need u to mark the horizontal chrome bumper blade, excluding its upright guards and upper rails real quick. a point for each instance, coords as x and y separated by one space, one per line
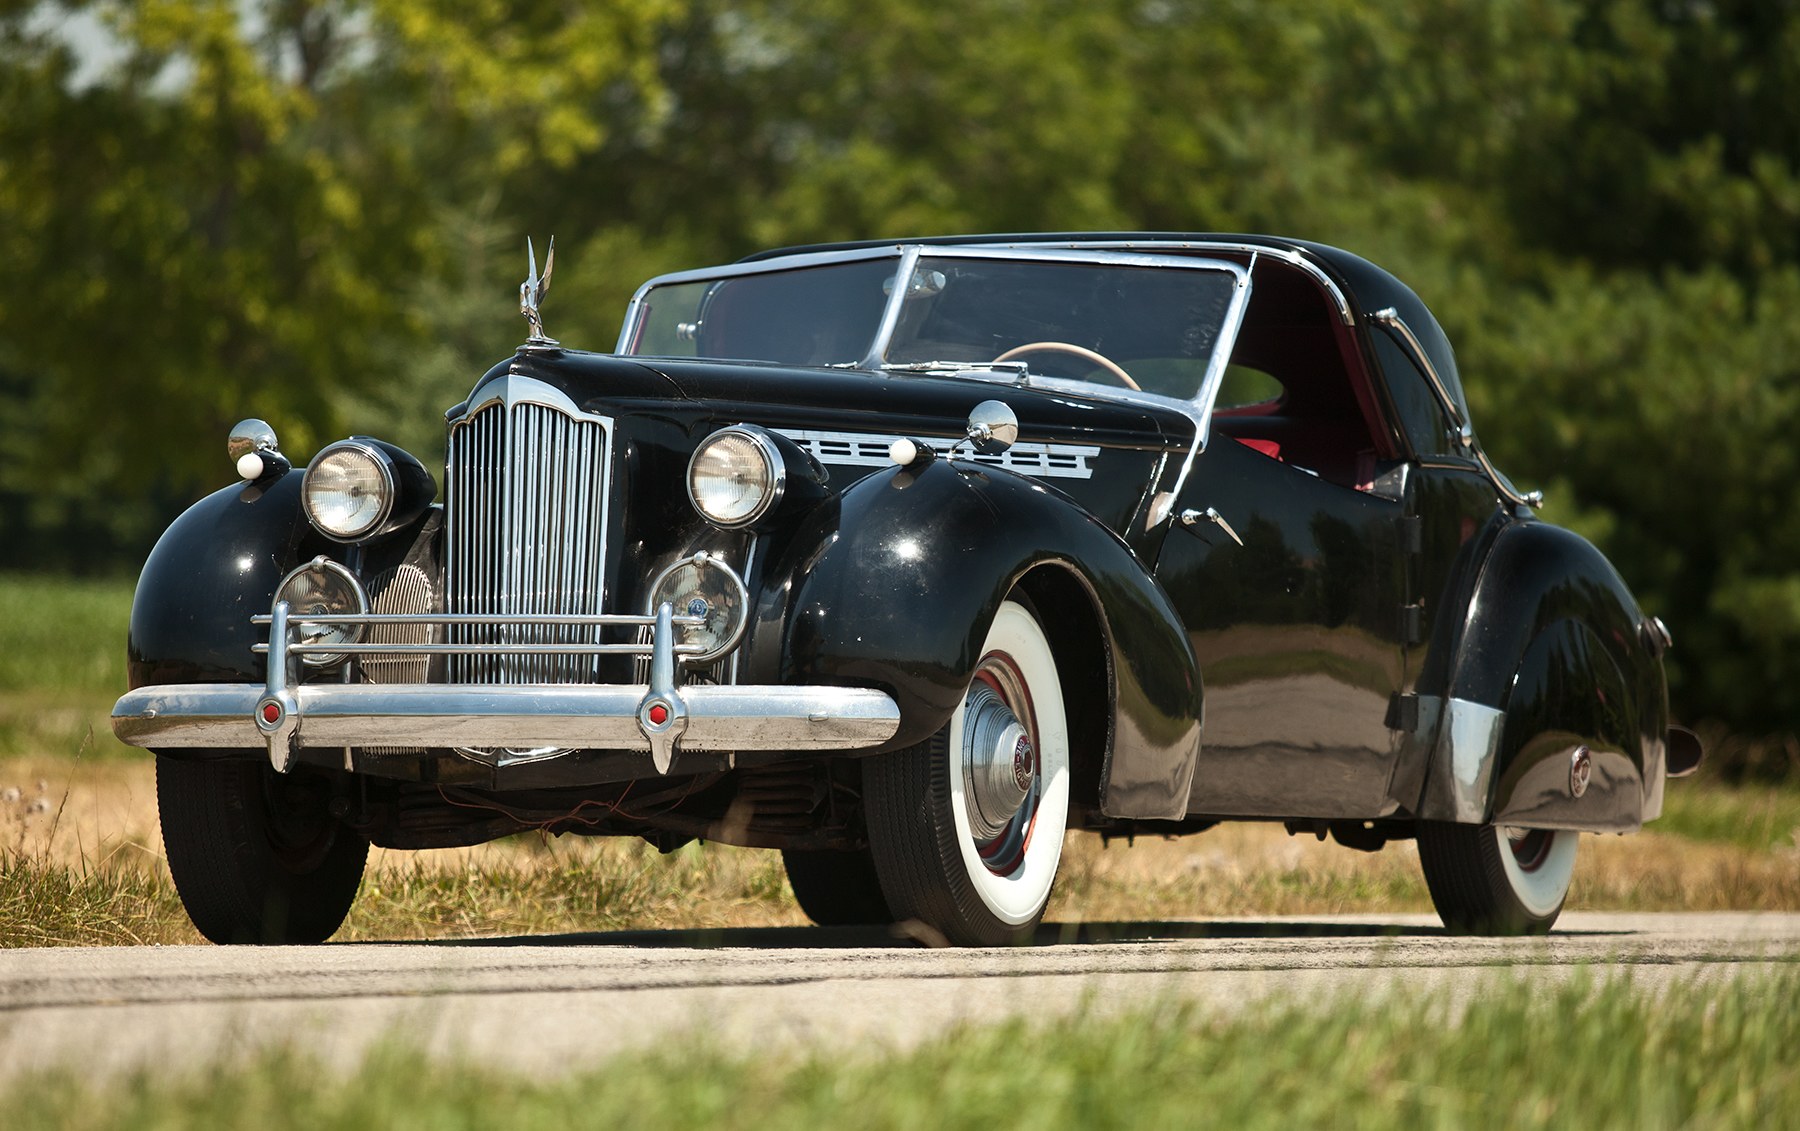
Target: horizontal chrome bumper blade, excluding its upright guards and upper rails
508 718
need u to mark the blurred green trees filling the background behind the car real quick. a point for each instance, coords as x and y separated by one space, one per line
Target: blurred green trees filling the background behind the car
312 212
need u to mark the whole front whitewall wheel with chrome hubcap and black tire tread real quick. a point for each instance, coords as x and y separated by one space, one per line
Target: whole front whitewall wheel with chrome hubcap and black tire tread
967 828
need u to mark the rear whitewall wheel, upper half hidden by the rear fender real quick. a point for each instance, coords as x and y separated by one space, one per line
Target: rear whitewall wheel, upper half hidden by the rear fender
1489 880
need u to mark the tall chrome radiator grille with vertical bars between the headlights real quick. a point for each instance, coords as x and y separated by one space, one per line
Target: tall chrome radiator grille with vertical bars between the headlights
526 520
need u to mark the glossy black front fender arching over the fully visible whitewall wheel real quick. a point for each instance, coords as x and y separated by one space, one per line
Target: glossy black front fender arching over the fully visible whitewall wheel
895 584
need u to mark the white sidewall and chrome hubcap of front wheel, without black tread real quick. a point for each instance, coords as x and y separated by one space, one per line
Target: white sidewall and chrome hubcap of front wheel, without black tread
1011 802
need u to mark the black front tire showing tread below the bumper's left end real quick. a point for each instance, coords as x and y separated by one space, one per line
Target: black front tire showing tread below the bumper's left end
256 856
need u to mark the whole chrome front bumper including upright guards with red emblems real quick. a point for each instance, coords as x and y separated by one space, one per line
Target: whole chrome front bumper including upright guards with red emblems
660 718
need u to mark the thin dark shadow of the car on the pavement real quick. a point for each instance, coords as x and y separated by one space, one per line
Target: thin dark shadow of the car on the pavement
917 936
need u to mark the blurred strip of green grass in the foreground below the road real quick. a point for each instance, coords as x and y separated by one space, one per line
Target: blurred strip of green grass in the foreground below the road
1587 1054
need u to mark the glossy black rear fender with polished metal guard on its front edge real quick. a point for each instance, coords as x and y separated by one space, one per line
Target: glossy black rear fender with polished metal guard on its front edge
1552 656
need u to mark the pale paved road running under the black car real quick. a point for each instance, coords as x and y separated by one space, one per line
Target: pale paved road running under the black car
550 1004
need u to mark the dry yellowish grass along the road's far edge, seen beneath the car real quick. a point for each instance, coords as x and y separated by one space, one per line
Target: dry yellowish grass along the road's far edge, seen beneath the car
82 864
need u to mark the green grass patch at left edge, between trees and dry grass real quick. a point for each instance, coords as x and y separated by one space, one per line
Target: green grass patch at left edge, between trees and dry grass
62 664
